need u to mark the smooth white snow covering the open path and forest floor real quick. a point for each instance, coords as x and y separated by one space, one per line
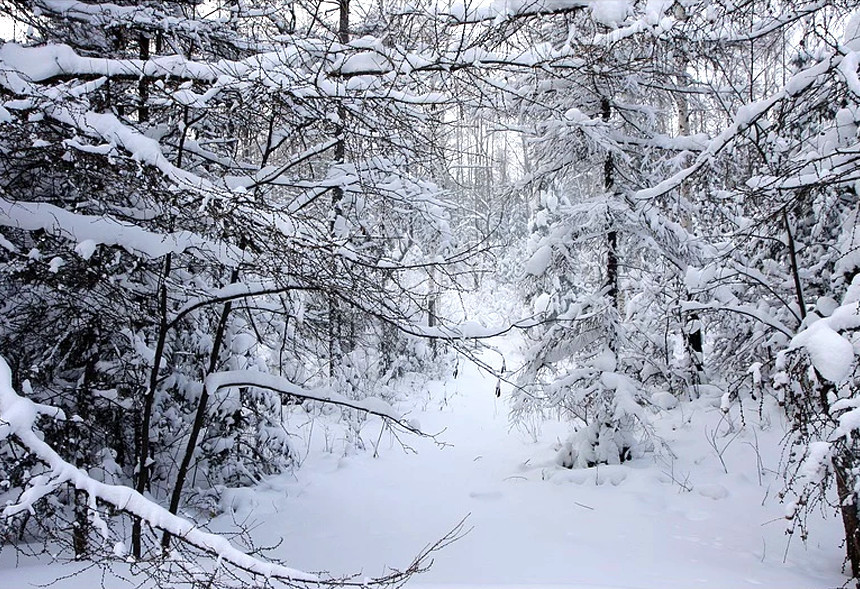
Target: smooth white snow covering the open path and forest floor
707 518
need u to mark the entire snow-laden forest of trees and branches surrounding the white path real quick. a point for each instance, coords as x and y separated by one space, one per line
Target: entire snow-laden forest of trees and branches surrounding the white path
214 215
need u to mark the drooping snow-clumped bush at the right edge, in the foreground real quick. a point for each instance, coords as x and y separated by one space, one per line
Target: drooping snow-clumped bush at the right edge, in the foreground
819 384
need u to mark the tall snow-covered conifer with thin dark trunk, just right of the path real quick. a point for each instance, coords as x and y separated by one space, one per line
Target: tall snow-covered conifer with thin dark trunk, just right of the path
592 88
